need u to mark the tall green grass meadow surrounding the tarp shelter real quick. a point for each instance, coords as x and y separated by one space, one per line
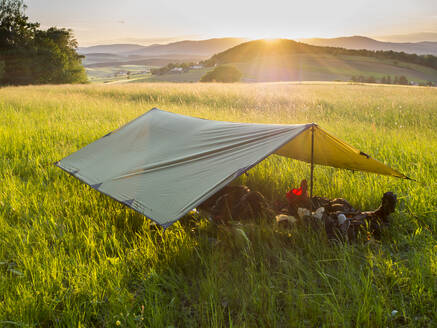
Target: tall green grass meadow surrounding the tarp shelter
72 257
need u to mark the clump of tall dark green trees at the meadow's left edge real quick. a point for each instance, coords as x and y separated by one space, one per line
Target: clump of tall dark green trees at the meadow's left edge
29 55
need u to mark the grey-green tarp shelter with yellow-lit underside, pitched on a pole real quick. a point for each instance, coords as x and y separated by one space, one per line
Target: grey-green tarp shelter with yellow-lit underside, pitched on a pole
163 164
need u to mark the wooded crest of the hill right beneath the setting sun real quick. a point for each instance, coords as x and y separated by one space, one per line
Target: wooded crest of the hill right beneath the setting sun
253 50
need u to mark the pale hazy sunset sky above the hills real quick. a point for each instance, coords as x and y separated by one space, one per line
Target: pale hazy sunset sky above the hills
162 21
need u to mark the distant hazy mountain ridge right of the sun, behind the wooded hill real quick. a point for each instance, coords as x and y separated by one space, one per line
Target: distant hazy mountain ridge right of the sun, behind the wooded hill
361 42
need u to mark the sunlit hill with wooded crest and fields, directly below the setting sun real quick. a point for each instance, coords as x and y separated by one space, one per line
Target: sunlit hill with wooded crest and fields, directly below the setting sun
288 60
